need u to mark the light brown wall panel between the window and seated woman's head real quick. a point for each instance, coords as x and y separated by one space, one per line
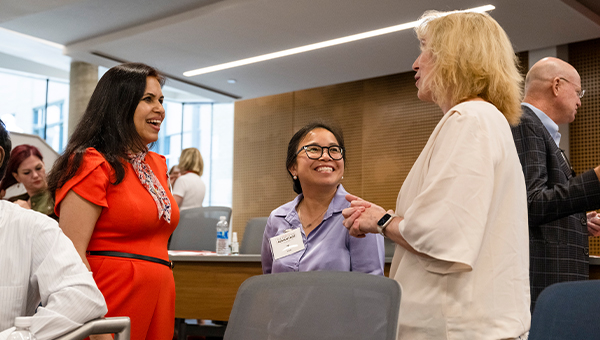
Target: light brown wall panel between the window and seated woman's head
262 129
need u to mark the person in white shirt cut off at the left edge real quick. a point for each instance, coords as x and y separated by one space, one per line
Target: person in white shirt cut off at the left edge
39 264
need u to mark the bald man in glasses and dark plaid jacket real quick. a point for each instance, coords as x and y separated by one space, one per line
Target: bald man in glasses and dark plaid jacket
557 199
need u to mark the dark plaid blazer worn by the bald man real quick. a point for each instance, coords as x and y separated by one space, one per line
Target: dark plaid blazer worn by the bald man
557 202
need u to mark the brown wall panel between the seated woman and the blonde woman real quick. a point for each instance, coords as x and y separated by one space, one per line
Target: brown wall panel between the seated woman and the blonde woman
396 127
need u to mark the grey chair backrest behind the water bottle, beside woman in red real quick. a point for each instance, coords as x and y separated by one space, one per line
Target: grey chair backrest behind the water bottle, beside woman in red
197 228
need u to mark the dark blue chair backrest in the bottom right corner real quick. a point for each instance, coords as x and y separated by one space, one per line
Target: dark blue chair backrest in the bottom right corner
567 310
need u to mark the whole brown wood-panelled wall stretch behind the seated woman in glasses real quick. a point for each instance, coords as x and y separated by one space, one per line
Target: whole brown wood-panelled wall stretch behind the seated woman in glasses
385 128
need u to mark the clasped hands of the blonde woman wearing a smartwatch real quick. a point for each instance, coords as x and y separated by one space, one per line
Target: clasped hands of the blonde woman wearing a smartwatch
361 217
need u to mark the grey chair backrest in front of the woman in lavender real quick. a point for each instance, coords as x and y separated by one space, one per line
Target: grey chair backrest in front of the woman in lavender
315 305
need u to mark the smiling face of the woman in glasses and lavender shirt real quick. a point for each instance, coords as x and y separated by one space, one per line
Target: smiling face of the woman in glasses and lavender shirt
320 174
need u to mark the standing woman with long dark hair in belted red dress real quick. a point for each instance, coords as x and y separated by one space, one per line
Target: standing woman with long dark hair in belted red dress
113 200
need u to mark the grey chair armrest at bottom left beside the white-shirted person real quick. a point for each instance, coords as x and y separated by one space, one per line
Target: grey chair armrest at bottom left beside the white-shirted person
119 326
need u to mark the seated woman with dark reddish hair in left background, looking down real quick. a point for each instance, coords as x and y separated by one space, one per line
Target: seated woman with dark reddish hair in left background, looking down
26 166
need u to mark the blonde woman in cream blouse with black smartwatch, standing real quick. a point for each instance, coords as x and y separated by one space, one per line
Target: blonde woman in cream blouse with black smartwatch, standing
460 225
